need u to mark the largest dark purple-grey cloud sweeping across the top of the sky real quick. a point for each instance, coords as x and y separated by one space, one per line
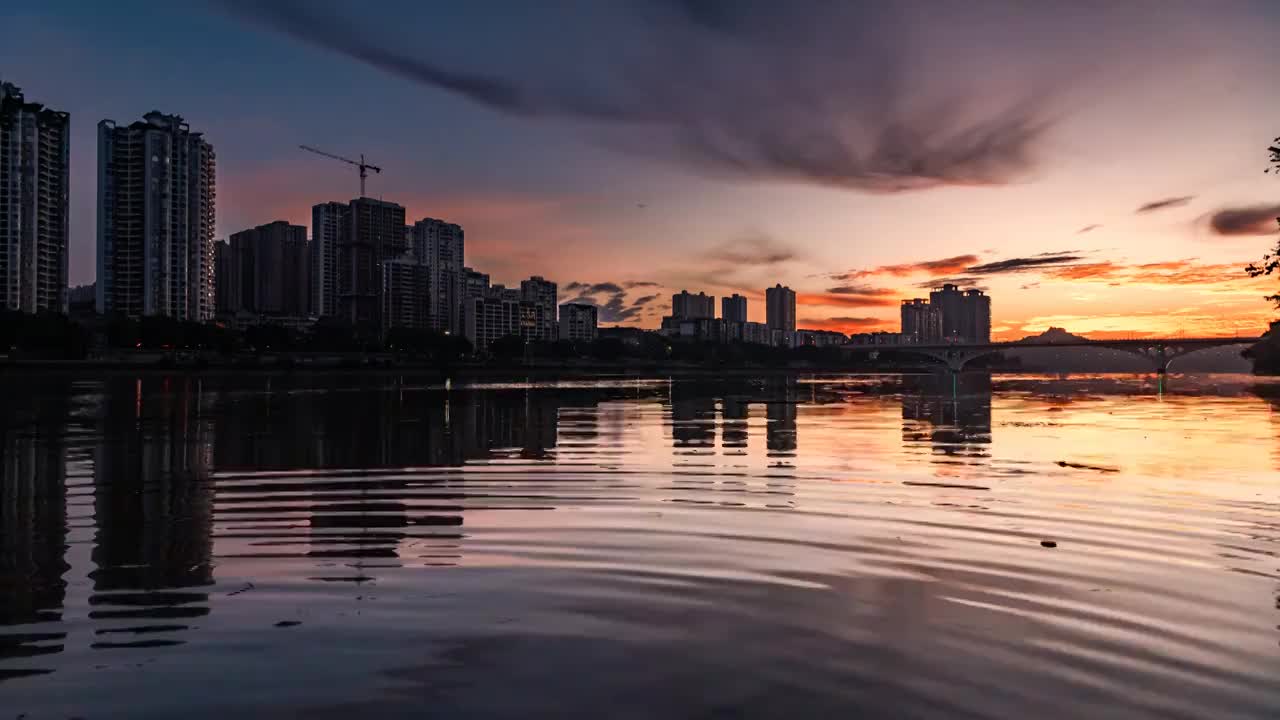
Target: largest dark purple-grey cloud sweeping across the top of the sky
835 94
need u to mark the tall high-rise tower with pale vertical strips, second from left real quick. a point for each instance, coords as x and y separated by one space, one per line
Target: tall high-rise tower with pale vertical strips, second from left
156 220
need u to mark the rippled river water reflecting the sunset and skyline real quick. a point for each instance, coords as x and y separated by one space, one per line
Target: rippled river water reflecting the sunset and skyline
776 548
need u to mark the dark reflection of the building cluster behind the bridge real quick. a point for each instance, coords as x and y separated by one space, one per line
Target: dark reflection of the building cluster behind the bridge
950 416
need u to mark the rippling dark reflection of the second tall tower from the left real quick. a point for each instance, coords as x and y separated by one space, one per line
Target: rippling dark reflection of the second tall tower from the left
154 511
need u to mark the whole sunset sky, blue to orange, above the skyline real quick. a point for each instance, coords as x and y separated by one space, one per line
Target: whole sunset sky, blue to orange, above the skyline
1092 166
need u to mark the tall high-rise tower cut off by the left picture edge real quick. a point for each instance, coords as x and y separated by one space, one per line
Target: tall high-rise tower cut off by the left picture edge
35 175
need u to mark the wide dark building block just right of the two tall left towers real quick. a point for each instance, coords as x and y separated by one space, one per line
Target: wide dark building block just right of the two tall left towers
269 271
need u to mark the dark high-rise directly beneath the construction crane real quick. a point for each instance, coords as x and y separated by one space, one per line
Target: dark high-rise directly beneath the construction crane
374 234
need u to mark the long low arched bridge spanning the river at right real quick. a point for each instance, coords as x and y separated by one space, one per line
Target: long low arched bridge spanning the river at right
1159 352
